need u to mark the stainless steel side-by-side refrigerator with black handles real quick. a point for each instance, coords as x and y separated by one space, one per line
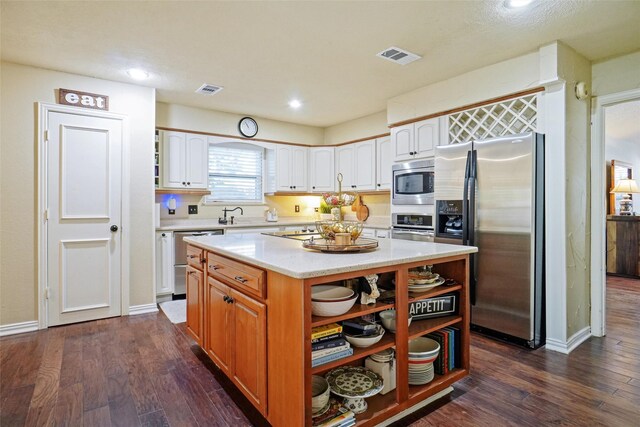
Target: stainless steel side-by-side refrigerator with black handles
490 194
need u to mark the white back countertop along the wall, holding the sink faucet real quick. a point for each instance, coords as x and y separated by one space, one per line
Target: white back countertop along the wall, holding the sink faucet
249 222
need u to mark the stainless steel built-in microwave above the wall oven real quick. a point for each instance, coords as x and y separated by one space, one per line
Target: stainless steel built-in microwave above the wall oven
413 183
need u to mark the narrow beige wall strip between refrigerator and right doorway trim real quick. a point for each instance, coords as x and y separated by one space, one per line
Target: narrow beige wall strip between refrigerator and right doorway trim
573 68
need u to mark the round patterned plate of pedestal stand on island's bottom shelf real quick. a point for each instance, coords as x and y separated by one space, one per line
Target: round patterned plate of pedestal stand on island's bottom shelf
354 381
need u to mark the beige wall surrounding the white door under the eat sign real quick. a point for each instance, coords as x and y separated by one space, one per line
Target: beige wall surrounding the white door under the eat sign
21 88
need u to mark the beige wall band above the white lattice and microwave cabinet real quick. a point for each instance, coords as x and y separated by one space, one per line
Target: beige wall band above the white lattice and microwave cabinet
489 82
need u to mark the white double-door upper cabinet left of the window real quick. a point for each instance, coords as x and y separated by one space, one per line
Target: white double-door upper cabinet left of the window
184 160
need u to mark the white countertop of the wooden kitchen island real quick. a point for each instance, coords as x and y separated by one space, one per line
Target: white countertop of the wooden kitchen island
288 257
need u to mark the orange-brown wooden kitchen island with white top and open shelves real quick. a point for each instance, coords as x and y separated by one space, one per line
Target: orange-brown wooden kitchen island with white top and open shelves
249 308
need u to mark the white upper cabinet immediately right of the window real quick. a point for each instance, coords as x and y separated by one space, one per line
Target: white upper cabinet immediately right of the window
291 168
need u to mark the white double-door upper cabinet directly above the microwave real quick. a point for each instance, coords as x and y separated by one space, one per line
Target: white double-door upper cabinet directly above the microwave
415 140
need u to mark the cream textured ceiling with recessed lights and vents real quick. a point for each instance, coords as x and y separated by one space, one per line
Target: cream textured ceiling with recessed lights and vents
265 53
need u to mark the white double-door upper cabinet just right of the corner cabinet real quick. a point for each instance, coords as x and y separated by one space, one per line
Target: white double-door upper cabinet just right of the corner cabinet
357 164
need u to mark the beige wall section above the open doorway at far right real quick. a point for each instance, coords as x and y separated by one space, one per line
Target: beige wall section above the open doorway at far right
616 75
